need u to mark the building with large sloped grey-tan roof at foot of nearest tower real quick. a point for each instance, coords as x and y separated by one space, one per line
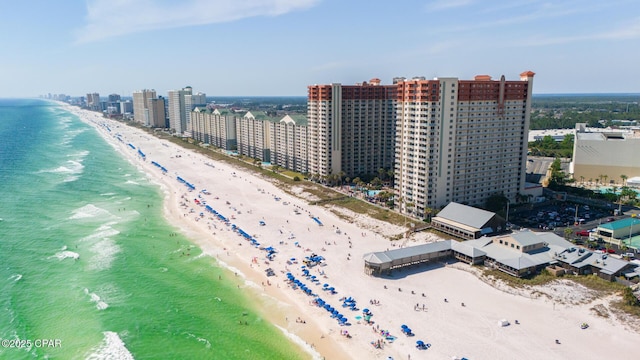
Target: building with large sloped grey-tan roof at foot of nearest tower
467 222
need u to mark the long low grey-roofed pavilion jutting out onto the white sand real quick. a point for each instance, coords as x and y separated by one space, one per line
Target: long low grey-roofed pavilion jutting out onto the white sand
382 262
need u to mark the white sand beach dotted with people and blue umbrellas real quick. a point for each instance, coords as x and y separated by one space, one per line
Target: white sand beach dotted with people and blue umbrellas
555 311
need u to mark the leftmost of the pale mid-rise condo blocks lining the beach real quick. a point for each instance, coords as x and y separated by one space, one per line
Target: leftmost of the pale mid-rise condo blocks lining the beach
214 127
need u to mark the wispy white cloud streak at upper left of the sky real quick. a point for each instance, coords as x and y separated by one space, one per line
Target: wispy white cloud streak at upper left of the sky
109 18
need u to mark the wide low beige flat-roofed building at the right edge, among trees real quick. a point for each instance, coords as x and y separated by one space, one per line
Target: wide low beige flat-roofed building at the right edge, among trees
607 157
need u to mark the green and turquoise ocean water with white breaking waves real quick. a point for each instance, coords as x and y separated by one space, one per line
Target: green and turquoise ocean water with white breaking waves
89 267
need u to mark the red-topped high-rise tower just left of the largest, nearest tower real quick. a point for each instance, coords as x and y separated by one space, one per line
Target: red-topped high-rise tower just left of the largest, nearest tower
350 128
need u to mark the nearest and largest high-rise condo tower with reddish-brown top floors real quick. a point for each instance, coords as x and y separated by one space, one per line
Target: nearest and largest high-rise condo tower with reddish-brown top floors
460 140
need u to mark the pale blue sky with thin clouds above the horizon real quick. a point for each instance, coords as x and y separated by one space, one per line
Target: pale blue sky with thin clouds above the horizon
279 47
